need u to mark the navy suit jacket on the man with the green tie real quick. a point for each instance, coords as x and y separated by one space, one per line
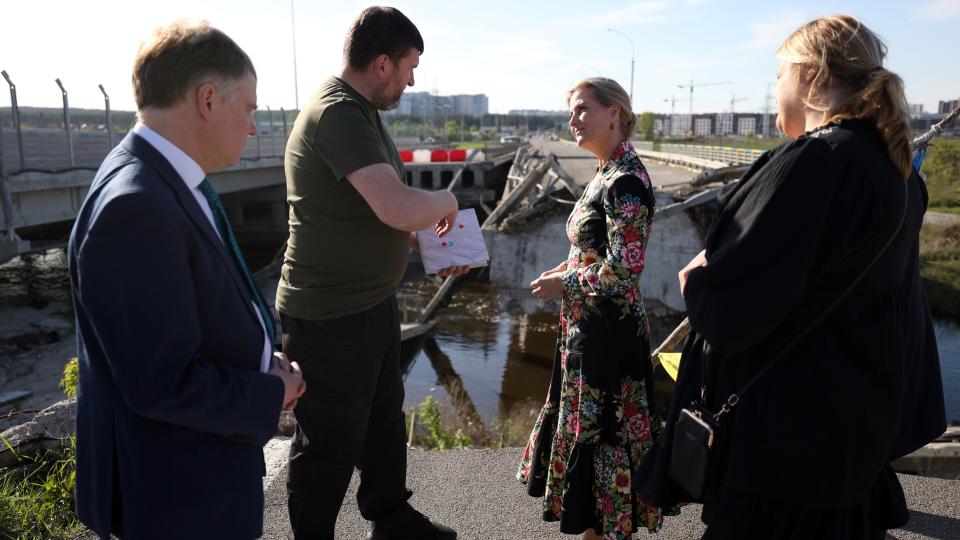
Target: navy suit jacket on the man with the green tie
172 408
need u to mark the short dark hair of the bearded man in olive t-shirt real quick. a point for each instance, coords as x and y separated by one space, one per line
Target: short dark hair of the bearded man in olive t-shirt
380 30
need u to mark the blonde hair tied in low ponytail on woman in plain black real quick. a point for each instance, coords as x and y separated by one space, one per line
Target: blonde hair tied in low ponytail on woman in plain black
848 59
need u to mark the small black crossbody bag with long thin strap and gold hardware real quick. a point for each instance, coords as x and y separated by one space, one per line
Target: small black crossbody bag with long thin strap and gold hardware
697 458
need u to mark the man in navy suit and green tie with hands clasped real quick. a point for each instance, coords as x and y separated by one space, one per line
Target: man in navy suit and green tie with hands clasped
179 385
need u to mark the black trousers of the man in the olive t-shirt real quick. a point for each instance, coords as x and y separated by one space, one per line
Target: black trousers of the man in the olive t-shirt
351 416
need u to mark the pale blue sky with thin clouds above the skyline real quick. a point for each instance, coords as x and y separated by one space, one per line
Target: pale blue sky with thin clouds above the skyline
522 54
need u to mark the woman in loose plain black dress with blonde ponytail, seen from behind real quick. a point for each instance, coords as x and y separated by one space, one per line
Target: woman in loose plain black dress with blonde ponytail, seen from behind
810 445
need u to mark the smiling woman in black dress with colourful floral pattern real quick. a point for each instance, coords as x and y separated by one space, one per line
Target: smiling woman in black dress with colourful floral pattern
597 421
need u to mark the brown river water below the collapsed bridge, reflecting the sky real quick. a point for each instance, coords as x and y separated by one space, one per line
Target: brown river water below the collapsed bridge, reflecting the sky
504 355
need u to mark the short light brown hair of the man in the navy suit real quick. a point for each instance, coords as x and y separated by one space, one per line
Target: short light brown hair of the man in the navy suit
181 56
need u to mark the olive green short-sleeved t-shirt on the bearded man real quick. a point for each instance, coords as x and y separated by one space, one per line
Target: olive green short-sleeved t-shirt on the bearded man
340 258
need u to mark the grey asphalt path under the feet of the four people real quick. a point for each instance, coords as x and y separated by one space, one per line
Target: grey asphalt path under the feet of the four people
475 492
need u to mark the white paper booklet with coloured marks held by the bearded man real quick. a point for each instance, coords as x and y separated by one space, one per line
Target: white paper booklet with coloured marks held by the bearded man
462 246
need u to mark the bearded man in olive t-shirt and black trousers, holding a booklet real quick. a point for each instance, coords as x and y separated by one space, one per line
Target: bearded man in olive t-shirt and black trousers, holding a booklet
352 220
